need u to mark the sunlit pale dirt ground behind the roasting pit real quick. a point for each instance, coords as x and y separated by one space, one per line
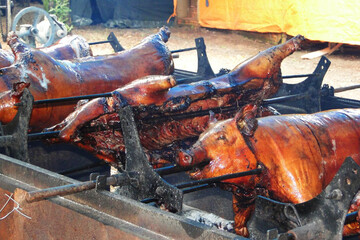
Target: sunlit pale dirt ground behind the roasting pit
226 49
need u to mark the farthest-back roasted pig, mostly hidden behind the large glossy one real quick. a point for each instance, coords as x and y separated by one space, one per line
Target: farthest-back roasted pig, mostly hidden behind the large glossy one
69 47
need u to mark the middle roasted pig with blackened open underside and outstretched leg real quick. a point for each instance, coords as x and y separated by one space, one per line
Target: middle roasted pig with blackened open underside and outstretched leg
252 81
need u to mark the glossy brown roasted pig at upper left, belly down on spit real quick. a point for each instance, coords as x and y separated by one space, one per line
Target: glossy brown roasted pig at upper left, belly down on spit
50 78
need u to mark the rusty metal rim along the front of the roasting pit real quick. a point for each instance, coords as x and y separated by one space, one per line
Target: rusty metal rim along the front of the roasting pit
141 220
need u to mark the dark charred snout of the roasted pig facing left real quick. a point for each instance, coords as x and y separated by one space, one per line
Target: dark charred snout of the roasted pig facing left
191 157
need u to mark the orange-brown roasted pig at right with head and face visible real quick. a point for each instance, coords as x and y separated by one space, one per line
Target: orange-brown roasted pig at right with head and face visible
299 155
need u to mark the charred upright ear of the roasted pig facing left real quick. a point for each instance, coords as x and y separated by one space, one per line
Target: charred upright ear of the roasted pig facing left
246 120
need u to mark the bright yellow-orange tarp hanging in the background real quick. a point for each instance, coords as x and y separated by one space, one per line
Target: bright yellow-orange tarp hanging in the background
325 20
